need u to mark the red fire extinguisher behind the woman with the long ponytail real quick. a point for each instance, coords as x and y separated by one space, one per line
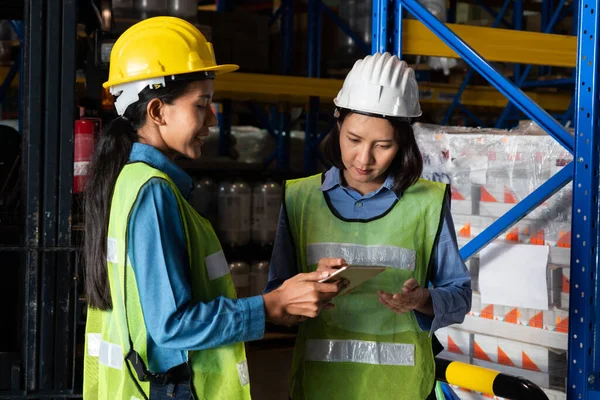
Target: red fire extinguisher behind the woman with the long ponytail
86 131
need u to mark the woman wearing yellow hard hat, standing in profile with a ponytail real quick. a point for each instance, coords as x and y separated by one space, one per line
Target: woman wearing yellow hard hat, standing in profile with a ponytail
163 319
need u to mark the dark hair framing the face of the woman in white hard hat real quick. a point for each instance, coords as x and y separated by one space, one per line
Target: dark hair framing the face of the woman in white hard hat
406 167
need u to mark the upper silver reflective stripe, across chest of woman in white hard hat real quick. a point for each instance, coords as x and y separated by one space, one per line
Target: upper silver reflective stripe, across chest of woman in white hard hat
357 254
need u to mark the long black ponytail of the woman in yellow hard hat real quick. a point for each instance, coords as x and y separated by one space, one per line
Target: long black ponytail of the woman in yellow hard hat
110 156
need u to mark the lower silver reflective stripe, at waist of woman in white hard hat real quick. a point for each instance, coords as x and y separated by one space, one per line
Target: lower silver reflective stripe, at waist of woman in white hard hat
360 351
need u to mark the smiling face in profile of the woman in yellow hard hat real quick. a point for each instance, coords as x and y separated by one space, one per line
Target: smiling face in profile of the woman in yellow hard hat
187 119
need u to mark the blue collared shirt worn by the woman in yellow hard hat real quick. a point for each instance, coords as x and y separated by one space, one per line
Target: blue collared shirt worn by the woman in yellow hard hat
158 251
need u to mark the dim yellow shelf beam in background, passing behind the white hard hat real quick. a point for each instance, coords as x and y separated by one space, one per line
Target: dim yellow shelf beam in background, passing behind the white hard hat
296 90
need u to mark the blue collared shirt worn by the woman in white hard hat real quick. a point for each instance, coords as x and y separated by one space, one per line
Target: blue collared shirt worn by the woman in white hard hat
450 280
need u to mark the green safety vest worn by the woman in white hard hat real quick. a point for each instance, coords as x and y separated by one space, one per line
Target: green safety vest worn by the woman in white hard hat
361 349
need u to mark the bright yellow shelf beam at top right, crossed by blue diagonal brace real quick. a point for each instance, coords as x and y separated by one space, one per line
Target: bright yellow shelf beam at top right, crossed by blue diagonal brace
501 45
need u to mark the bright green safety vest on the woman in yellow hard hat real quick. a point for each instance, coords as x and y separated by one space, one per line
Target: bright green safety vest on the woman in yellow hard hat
219 373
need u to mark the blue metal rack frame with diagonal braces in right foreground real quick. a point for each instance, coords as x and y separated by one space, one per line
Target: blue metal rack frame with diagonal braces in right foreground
584 347
